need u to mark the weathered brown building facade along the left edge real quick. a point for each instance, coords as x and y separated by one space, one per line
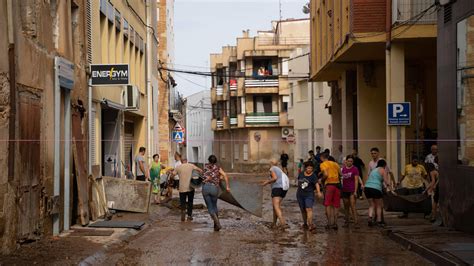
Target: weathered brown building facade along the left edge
43 88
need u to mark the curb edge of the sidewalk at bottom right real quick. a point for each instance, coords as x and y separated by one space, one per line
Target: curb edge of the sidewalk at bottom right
421 250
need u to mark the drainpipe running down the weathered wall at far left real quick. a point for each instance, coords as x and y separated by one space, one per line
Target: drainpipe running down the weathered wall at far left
12 70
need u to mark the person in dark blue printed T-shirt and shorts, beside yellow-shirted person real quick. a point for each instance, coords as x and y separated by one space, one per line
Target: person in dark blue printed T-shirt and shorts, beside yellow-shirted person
307 185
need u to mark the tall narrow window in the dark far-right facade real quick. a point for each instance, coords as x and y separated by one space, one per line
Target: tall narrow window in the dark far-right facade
465 90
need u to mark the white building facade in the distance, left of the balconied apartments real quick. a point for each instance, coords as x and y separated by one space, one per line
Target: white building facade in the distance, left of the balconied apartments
199 139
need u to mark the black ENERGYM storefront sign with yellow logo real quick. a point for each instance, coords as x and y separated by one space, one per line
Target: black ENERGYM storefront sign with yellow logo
110 74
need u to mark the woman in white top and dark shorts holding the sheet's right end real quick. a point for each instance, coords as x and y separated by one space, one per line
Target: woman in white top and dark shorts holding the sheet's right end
278 194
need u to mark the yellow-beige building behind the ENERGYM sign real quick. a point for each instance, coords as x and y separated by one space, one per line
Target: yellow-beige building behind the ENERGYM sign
124 115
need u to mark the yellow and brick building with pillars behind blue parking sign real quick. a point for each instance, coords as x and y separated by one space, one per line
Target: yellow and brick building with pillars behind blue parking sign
369 52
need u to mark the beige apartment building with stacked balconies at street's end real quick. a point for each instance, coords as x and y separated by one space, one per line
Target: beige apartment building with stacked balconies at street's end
250 96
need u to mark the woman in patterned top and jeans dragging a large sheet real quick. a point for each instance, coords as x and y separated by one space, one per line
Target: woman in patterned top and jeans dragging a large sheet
210 188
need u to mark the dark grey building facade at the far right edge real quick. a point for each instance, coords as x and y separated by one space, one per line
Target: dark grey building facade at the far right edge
456 112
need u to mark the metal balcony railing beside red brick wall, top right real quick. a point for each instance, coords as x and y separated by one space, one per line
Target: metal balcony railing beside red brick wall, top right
417 11
